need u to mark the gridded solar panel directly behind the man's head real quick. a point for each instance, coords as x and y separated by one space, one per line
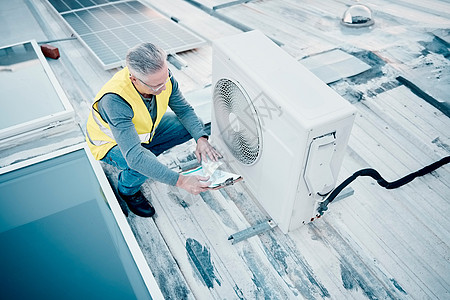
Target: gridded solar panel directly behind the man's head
110 28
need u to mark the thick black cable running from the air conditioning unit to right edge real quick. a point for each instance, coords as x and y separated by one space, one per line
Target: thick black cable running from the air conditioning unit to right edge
381 181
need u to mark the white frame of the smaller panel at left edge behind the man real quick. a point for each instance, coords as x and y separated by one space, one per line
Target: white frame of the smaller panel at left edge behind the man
30 127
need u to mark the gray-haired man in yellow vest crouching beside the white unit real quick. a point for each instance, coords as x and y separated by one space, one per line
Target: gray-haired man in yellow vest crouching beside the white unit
128 127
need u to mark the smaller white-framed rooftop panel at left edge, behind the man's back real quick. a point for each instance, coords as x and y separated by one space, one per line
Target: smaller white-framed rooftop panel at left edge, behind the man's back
32 98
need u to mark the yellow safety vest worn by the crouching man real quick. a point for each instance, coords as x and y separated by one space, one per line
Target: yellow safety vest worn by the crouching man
98 133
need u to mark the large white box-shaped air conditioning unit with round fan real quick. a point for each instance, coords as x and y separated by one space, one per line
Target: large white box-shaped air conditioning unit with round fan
277 125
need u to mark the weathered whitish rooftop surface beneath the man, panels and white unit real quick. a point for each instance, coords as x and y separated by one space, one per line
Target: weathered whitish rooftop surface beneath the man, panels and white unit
376 243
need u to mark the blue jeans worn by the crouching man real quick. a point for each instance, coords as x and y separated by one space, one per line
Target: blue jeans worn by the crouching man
169 133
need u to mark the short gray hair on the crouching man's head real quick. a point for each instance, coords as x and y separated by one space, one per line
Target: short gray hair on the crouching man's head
145 59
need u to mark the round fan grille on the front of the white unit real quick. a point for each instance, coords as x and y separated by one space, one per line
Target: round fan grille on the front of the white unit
237 121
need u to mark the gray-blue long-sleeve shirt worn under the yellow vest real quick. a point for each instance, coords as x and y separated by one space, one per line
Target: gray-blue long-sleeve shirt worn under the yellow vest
118 114
